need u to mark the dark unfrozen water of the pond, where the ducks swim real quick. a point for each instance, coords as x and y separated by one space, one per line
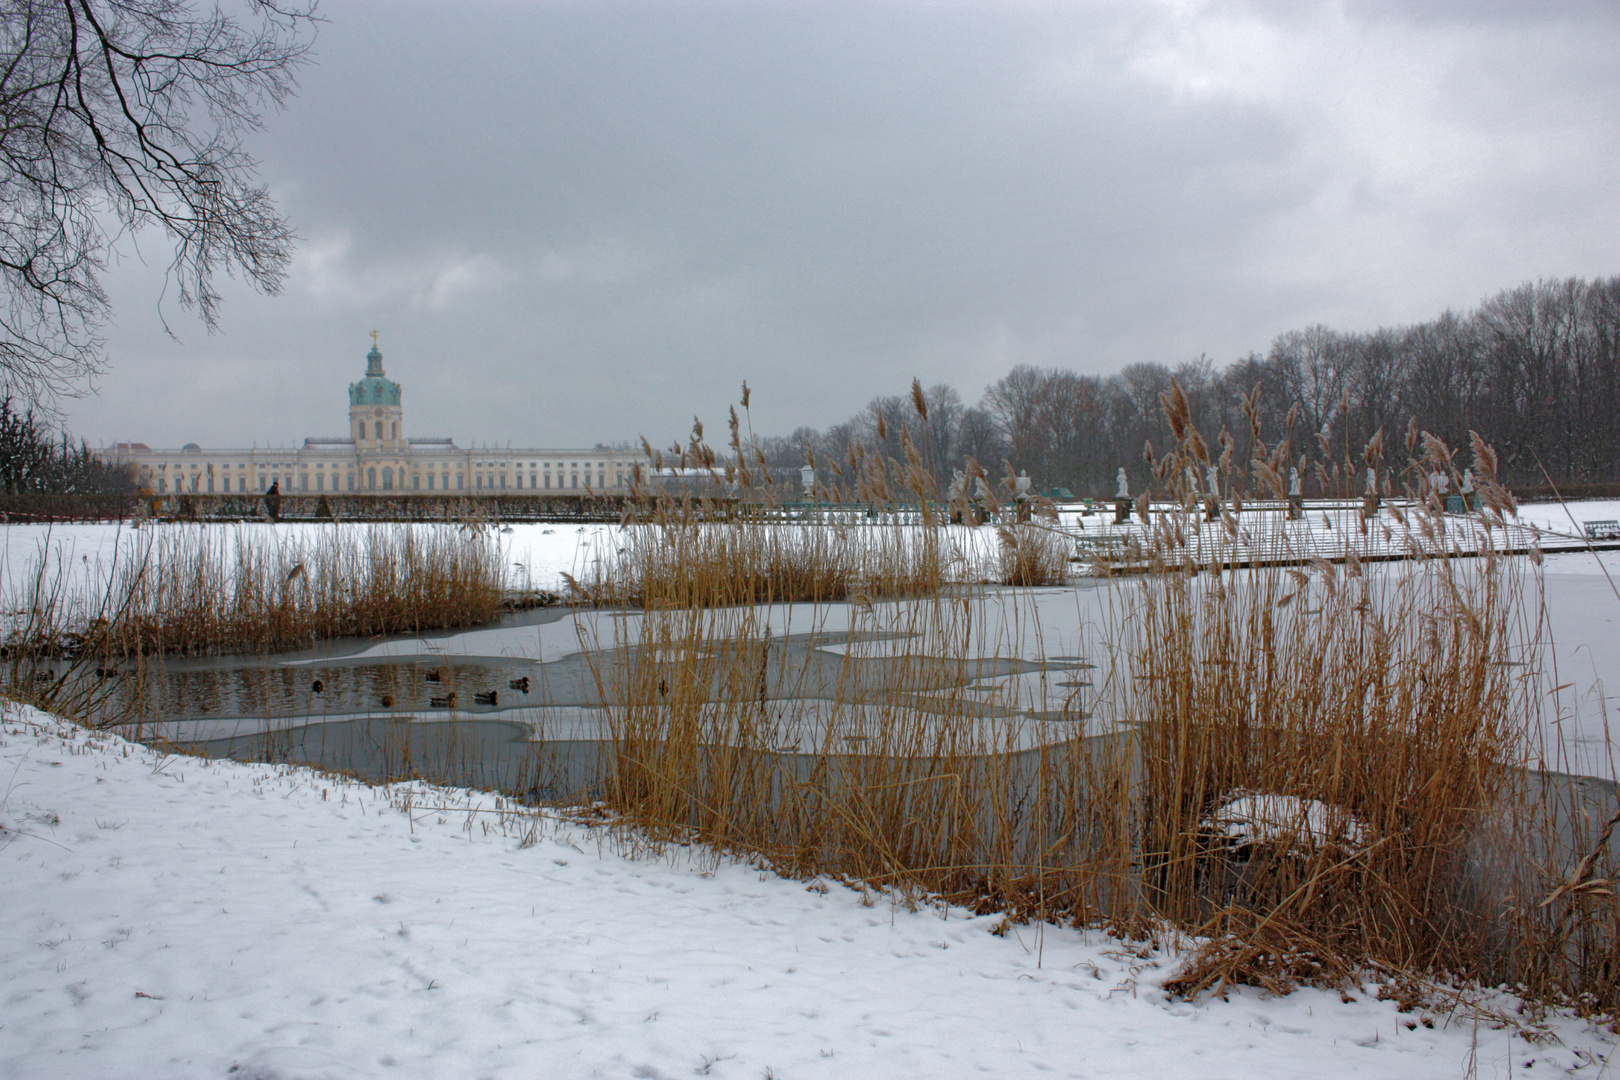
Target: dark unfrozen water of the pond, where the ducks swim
453 718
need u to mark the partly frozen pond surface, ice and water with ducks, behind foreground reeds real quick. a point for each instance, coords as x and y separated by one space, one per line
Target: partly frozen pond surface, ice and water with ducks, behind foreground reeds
508 705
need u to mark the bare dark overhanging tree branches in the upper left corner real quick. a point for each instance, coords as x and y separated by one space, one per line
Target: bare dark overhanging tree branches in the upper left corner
121 117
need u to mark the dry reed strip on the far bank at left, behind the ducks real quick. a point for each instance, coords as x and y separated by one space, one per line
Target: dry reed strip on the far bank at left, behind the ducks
207 590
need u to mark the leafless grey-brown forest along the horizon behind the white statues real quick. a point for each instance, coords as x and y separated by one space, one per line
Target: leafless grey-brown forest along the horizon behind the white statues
1535 370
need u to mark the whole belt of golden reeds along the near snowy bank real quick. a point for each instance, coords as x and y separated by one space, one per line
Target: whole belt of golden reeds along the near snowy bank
1315 767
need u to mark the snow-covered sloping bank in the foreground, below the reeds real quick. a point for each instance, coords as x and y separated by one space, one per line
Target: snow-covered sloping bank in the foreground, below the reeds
173 917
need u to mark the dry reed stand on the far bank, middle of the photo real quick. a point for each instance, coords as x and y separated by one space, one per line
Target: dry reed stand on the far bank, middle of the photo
686 551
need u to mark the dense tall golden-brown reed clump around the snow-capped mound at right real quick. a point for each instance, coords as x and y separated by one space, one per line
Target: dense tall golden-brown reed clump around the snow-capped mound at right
1384 697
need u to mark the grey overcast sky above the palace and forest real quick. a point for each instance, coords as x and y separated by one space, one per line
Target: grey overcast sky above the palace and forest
581 223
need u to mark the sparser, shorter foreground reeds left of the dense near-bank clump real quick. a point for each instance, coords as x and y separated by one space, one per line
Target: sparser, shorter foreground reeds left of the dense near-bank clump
877 772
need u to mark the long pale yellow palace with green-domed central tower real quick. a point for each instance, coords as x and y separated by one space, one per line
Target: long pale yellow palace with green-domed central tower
378 459
